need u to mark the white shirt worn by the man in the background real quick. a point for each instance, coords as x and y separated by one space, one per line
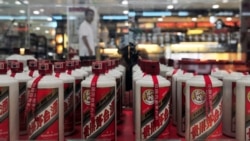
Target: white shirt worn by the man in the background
86 30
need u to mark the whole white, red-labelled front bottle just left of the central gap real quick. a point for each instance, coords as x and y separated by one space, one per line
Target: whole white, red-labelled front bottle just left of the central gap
98 105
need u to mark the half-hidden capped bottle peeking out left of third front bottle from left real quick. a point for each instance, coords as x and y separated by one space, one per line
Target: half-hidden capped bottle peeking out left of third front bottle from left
79 76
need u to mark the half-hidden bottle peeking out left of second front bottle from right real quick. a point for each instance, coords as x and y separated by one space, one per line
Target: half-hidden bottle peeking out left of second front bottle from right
180 103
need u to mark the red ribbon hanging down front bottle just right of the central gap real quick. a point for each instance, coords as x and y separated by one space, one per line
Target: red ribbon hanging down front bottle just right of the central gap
156 99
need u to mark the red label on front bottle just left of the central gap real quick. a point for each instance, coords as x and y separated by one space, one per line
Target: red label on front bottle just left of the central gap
103 125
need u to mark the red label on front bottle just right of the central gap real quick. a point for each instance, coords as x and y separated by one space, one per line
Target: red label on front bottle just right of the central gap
149 128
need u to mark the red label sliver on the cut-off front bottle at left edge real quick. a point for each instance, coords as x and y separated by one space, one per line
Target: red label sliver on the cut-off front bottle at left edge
4 113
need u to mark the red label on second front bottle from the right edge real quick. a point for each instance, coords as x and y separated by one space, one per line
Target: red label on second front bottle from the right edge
205 124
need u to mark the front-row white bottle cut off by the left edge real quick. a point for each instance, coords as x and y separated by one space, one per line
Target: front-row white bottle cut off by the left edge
9 113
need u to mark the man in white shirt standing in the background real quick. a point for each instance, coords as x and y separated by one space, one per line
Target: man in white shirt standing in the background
86 37
